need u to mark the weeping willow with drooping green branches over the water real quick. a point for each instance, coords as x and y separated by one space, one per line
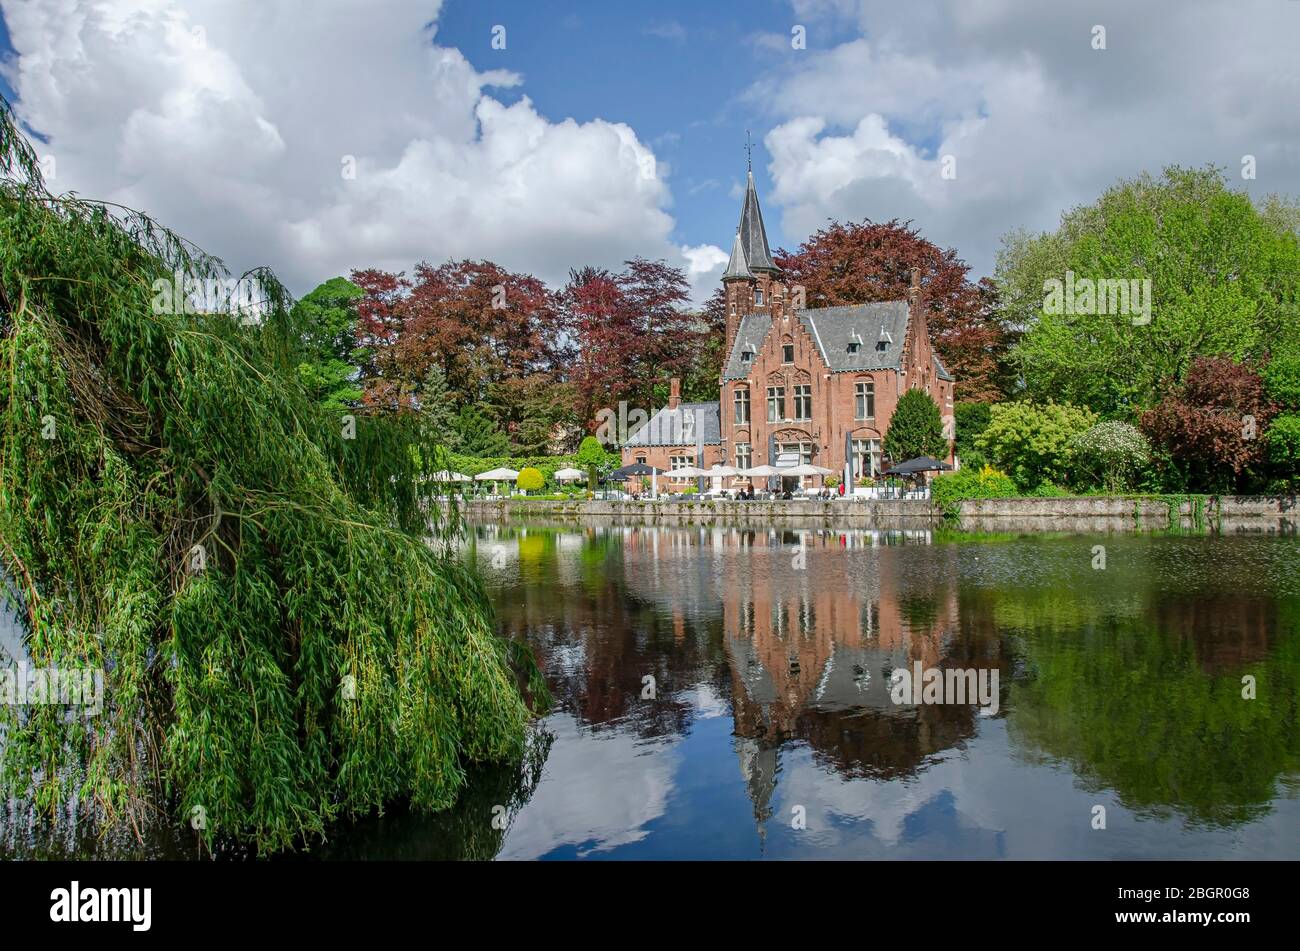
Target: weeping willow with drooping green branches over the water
280 641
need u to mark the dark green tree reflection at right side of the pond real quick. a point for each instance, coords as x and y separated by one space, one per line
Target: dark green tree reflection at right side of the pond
1149 702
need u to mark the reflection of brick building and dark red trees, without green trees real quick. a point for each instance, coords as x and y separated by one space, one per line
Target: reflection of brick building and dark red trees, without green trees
801 629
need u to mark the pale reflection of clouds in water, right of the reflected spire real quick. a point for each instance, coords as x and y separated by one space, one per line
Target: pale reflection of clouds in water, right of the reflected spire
963 805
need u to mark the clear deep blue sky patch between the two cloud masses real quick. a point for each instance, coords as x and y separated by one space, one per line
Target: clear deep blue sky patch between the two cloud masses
677 72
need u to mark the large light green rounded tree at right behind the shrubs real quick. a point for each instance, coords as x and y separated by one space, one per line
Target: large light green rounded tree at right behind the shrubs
1225 281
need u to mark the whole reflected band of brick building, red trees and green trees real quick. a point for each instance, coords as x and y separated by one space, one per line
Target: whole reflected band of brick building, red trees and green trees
1132 676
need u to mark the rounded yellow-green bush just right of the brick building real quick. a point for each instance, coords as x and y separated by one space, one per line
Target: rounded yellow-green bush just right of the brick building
1035 442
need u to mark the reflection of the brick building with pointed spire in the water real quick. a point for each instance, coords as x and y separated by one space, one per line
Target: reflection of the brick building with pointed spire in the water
816 624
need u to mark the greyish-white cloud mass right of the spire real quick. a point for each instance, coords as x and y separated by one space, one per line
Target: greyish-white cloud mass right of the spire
1035 119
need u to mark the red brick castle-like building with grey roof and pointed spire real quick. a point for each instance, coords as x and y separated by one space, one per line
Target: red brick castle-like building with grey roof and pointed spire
799 385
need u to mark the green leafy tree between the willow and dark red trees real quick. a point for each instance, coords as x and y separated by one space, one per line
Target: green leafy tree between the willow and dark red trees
327 323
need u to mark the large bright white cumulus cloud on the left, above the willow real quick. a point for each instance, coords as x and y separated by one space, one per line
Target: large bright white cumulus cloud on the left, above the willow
323 136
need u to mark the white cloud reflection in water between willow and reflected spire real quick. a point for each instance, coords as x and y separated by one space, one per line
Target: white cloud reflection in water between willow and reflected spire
600 792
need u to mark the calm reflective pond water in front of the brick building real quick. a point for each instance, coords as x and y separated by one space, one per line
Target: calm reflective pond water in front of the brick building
730 693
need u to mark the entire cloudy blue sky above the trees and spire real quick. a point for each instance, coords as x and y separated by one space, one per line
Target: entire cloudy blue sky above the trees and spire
322 136
